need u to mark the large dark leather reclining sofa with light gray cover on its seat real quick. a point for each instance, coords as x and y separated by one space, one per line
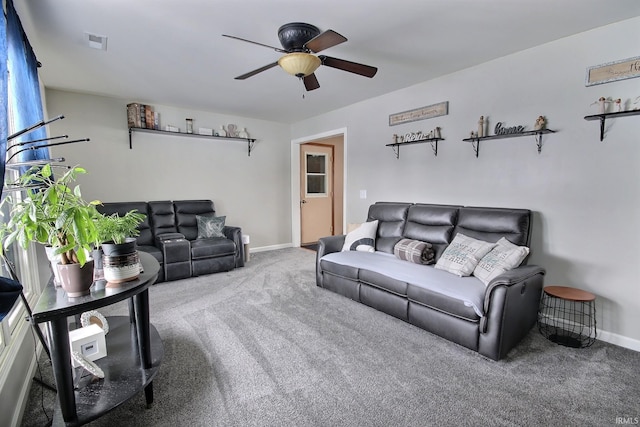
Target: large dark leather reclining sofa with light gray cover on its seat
506 309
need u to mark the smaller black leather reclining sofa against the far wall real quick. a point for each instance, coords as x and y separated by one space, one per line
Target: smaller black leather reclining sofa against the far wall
170 232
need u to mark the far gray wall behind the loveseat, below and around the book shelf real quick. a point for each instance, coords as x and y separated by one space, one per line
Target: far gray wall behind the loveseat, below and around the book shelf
253 192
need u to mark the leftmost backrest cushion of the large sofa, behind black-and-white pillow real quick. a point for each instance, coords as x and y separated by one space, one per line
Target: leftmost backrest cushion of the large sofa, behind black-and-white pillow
392 218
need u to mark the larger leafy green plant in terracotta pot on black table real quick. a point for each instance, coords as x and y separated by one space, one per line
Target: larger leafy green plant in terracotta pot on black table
53 212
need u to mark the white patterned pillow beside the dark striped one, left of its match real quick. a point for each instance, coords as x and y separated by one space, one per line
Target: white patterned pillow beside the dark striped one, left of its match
463 254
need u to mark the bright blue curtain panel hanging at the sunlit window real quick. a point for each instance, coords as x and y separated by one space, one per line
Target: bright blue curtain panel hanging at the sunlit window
25 102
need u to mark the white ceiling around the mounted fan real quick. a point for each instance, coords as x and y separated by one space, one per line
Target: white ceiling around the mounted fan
172 52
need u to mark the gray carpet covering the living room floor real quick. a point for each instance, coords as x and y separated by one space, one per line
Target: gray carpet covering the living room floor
263 346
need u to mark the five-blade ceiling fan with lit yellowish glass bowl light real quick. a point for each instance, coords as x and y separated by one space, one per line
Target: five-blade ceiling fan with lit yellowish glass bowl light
300 42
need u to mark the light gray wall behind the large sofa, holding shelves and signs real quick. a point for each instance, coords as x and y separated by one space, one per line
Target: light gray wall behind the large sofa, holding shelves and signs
585 193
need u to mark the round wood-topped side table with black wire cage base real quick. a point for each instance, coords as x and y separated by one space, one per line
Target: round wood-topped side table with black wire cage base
567 316
